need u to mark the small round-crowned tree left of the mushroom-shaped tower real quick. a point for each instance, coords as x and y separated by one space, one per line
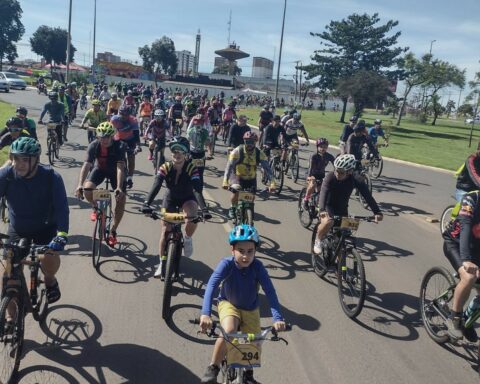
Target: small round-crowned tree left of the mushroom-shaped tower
160 57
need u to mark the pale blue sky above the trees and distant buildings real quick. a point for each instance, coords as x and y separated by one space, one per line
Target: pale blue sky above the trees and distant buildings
123 26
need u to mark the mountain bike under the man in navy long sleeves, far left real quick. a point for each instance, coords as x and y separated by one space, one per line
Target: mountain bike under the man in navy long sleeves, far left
18 300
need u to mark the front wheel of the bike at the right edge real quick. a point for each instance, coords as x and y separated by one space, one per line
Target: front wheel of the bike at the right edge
437 300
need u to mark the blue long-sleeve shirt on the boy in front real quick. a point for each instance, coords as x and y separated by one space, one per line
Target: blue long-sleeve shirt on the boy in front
239 286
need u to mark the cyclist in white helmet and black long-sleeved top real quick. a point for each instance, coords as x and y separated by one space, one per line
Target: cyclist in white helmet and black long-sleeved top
336 189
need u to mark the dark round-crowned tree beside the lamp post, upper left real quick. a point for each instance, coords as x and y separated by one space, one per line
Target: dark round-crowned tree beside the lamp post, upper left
51 44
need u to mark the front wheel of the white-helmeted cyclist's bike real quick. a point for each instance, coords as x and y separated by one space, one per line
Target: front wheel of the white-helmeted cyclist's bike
351 282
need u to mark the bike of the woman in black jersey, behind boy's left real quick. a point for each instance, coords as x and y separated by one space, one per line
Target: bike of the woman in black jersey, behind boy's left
173 250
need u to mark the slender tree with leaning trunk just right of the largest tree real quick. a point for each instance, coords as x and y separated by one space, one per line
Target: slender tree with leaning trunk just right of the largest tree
414 74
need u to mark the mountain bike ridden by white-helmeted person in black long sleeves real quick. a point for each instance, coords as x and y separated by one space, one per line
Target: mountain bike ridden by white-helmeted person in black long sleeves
339 253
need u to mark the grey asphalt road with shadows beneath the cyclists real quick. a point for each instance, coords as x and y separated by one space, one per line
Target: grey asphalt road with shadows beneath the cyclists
107 328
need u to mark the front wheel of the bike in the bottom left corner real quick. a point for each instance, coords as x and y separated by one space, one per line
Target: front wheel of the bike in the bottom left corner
11 343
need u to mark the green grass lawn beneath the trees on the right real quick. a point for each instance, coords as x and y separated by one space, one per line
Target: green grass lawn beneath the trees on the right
444 145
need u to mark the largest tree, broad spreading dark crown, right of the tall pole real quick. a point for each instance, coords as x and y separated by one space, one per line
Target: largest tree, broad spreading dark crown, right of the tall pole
354 44
